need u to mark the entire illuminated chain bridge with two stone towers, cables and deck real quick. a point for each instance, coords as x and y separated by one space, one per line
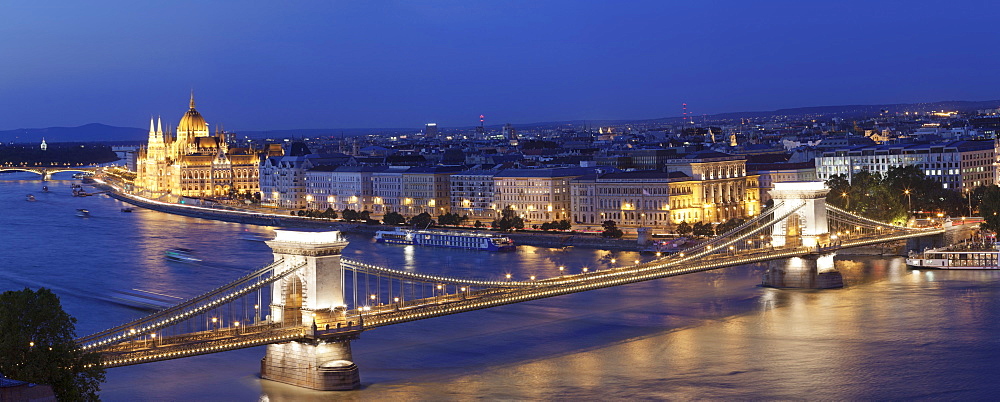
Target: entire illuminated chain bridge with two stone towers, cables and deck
310 303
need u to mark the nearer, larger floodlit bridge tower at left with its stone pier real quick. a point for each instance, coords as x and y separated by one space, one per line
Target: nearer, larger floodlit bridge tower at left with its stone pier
316 288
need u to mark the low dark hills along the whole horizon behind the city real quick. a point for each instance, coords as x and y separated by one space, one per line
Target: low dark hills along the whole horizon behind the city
105 133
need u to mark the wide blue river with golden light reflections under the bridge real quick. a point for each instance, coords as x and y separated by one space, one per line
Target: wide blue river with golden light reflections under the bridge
891 333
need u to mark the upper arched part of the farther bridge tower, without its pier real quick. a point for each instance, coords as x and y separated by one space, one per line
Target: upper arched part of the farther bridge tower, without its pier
807 226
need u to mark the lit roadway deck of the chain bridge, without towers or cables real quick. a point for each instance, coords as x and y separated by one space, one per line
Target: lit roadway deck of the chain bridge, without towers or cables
347 325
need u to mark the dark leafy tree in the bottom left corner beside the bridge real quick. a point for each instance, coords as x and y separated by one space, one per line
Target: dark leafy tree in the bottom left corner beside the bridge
36 345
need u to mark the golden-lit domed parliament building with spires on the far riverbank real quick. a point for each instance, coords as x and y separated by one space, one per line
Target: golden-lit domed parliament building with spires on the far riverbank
192 162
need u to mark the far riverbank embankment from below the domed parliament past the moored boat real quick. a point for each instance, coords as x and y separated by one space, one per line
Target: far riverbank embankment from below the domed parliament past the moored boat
551 240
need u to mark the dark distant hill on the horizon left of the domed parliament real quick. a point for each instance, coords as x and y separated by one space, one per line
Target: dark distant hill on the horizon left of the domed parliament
85 133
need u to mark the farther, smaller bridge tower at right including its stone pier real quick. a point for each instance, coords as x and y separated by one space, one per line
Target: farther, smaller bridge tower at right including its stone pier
806 226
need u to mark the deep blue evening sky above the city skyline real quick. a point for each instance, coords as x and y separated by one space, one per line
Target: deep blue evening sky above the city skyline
352 64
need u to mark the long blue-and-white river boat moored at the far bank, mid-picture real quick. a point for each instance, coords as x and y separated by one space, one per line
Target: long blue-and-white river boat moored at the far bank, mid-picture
443 238
